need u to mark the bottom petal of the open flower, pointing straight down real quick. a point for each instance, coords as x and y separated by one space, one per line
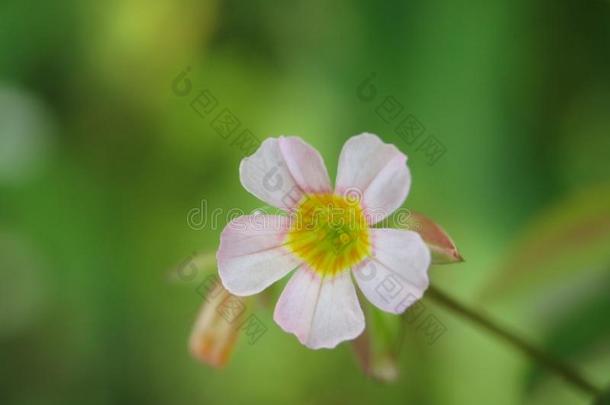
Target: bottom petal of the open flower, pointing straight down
321 311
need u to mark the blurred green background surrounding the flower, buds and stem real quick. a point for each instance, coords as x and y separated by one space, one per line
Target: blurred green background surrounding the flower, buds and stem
101 161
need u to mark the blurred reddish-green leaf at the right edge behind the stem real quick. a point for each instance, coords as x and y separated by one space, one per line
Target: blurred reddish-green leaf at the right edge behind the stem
570 239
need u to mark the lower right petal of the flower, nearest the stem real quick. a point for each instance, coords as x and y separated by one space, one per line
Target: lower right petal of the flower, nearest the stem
397 274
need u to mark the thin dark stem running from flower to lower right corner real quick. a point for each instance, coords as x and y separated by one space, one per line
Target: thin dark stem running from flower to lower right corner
562 369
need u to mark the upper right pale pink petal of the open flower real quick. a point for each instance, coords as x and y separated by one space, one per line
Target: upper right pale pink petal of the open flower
377 172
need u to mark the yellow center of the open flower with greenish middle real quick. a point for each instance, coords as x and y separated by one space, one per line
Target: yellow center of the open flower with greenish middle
329 232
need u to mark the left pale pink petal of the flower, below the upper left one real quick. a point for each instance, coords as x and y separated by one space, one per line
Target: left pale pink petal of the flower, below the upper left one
251 256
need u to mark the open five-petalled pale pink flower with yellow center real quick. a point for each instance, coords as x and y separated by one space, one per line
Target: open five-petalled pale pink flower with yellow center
327 237
